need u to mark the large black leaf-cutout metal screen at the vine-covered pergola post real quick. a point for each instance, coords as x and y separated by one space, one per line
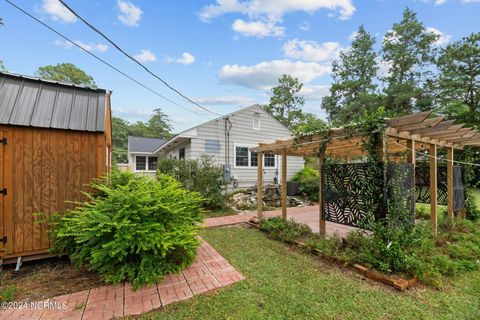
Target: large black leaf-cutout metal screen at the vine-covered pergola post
349 195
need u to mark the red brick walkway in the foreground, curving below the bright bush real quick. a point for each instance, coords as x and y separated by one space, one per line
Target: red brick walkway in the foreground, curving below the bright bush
209 272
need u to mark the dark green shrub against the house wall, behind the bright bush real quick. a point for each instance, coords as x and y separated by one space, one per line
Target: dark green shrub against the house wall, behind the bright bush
202 176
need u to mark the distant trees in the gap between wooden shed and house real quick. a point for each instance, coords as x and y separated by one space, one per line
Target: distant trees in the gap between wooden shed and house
158 126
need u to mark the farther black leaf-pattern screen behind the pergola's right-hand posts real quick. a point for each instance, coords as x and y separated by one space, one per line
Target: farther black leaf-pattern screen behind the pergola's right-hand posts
422 185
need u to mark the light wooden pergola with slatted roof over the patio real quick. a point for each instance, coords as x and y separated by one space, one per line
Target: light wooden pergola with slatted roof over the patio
403 136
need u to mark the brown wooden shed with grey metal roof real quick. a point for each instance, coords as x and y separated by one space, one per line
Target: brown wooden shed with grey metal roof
54 139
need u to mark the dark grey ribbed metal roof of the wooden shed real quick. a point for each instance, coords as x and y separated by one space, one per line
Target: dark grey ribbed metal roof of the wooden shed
27 101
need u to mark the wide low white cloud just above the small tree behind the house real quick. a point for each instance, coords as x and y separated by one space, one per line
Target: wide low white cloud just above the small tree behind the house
265 75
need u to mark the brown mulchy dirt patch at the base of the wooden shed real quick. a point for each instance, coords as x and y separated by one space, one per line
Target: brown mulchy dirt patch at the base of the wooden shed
38 280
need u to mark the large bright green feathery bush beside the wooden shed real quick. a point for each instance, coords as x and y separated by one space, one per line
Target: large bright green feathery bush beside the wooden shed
131 228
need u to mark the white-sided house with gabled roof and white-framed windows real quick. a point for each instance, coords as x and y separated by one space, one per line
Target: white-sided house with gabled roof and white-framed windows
227 140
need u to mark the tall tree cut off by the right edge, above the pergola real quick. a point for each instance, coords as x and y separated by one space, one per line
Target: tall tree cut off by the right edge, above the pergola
459 80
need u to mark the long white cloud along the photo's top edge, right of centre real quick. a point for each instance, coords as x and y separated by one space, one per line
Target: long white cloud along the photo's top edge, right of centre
275 9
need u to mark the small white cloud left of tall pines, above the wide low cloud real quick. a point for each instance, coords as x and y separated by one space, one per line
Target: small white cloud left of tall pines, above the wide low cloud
312 50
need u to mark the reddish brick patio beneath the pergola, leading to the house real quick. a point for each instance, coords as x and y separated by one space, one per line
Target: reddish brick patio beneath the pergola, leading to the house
307 215
